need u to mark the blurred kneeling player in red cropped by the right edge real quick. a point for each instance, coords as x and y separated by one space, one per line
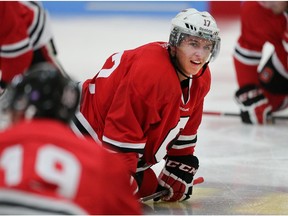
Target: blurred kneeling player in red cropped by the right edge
263 88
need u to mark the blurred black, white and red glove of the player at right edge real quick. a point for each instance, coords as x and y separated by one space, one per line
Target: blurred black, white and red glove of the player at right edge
254 106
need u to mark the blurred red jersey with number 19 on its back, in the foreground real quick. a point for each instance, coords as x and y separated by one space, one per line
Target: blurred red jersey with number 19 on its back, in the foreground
46 169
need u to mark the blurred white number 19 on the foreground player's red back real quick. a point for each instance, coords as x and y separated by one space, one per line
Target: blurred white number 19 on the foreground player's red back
53 164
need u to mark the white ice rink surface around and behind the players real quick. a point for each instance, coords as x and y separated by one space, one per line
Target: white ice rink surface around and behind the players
245 167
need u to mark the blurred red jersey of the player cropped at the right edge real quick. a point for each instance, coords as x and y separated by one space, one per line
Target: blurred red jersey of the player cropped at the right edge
259 25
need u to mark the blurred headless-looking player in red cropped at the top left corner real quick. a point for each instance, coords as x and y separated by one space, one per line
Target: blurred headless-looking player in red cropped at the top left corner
25 38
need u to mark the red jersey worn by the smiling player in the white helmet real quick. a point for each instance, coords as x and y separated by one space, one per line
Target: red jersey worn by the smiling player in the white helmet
135 103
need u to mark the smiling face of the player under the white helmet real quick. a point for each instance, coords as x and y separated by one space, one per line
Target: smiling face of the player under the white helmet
192 54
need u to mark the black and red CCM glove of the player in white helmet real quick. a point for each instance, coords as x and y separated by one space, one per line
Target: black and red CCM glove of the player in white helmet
177 177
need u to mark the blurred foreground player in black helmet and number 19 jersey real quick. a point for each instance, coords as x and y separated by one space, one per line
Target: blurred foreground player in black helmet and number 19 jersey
44 167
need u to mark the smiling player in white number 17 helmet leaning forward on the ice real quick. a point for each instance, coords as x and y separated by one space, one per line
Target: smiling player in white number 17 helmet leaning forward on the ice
146 103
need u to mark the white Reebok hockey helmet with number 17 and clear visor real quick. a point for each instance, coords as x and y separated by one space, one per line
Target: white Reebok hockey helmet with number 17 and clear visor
192 22
